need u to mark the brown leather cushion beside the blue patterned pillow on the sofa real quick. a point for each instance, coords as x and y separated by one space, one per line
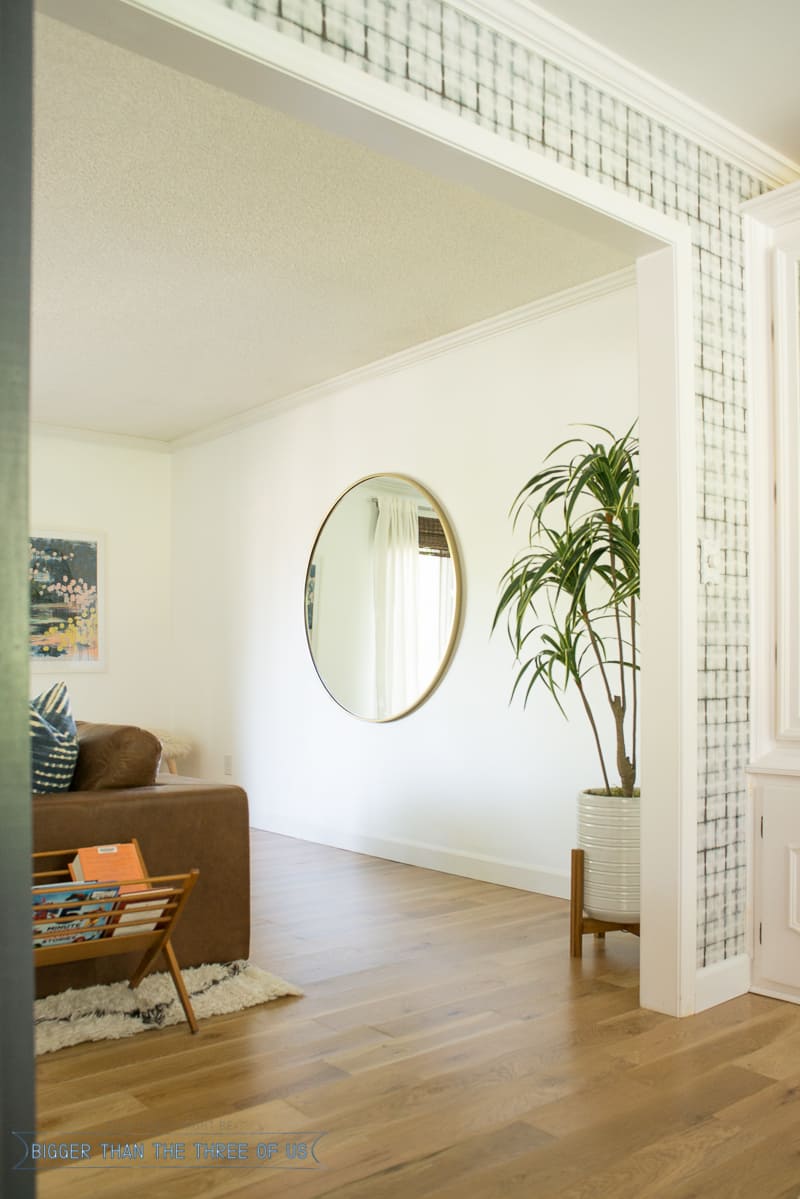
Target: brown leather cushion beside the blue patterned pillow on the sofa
115 756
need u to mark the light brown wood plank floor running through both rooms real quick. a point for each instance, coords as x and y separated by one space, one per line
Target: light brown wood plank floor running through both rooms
447 1046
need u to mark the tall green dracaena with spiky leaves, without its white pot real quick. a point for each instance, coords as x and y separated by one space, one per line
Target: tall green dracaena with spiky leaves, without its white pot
570 598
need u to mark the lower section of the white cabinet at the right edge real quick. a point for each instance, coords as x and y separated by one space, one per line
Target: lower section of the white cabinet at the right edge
777 888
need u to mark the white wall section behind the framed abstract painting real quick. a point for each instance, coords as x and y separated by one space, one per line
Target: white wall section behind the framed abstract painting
82 486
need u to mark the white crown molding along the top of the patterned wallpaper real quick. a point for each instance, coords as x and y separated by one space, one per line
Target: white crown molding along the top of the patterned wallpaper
566 46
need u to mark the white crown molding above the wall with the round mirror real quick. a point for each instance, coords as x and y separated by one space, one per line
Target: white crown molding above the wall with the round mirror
504 323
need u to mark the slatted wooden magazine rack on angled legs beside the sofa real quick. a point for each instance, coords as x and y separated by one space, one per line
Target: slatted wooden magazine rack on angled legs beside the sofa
134 924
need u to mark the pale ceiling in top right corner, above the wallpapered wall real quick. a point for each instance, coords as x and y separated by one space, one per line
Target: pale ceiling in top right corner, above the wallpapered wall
738 58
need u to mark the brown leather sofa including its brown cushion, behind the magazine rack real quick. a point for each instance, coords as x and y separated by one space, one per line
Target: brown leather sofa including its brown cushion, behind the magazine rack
179 826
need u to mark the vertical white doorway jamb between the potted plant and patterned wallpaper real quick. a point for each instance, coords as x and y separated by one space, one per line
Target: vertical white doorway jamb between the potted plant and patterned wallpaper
669 691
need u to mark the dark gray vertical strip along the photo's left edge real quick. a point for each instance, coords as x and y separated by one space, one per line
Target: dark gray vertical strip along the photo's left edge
16 967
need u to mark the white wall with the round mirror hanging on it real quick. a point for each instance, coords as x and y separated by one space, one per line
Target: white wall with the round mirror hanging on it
465 784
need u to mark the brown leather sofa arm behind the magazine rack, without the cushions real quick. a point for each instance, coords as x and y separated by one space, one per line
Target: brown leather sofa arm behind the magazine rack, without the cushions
178 828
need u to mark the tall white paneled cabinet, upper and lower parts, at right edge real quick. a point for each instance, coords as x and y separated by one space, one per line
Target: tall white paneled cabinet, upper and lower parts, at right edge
773 272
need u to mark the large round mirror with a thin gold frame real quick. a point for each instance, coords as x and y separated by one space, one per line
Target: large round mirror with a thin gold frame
383 598
